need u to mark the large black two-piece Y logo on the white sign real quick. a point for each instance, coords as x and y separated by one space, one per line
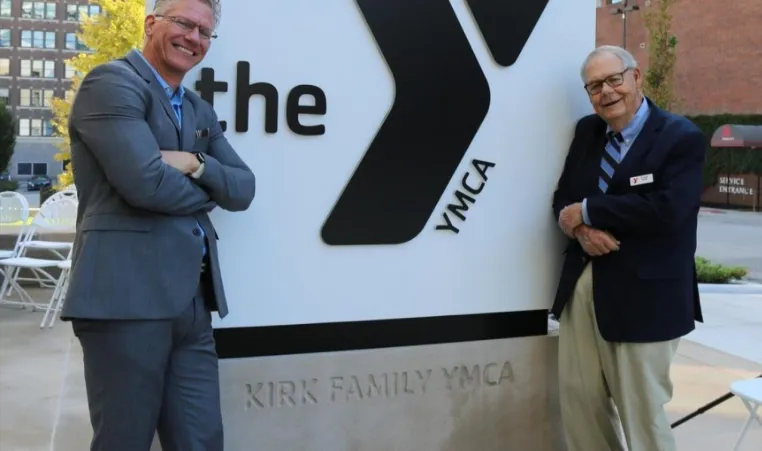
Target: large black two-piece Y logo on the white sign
442 97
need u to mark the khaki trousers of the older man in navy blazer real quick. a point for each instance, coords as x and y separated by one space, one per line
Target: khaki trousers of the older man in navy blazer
598 378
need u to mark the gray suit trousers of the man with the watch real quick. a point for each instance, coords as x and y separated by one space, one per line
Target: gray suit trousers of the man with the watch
145 376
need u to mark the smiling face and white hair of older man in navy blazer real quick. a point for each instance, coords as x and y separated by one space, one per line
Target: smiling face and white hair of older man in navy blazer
614 90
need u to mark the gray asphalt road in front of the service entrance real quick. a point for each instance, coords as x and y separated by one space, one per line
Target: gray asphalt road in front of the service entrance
732 238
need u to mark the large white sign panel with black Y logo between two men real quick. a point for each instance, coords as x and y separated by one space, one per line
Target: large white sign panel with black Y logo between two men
452 129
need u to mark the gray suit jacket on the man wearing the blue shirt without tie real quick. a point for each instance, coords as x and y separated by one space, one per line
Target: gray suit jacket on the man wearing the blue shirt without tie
138 250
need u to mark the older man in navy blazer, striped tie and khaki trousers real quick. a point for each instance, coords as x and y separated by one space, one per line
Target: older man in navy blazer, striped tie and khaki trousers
628 200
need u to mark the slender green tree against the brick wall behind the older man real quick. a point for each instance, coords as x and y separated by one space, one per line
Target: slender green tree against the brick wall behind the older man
659 78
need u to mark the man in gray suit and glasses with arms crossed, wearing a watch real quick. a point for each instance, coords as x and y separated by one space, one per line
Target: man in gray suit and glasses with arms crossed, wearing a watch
150 161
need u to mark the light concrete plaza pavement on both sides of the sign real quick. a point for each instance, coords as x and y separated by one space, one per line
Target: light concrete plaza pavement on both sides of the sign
43 403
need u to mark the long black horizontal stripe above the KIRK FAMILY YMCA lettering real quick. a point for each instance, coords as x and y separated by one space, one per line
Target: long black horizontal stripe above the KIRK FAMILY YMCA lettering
241 342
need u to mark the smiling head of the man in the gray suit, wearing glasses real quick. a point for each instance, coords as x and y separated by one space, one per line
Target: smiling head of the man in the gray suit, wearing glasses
178 37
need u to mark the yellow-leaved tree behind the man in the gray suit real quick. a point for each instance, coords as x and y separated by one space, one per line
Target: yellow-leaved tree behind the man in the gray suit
109 35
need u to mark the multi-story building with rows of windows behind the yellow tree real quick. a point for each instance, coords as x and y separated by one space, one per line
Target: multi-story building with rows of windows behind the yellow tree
36 38
